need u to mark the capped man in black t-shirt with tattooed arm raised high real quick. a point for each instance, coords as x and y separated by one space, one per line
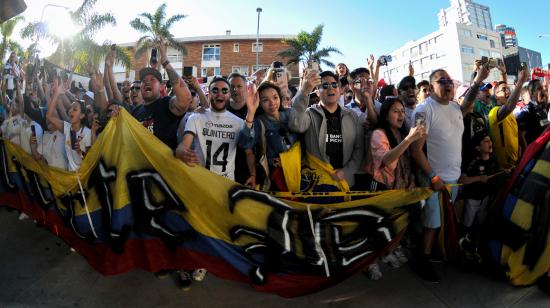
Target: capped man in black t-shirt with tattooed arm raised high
161 115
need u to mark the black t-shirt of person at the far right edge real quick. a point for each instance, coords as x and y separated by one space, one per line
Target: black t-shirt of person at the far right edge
533 120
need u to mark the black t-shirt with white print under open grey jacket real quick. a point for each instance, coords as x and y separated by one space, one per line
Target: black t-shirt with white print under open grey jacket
333 139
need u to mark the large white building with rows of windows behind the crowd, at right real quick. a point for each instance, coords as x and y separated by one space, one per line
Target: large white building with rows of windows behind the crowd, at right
454 48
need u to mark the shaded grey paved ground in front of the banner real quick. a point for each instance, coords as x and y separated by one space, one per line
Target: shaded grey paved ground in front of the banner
37 270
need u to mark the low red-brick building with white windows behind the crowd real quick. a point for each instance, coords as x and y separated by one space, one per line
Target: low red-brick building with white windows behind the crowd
217 55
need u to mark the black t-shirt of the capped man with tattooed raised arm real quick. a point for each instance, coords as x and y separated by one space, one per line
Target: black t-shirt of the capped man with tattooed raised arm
158 118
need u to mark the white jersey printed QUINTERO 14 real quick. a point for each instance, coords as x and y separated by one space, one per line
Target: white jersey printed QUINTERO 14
216 137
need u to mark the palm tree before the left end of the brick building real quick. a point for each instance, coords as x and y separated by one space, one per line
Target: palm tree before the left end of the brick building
156 28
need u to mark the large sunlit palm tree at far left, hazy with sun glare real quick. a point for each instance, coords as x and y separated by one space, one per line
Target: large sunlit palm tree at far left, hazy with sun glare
76 51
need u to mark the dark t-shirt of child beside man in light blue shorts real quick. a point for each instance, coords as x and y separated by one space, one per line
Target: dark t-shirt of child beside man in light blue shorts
477 166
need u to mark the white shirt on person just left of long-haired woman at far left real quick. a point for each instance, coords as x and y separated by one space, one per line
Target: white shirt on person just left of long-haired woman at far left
52 148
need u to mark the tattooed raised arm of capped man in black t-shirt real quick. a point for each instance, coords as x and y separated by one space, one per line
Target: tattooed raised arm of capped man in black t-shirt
182 100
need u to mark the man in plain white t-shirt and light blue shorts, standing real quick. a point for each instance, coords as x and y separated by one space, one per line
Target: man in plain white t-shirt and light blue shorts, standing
443 121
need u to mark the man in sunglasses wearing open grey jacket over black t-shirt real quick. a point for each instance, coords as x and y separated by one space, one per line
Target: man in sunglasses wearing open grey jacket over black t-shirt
332 134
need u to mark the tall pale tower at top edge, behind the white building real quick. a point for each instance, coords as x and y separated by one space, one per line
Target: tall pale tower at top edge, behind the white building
466 12
